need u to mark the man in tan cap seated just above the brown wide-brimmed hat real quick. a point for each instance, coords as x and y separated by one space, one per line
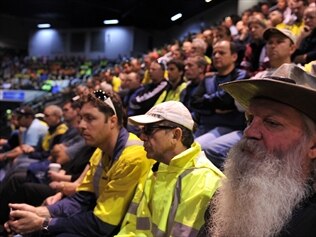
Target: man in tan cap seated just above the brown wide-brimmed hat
280 45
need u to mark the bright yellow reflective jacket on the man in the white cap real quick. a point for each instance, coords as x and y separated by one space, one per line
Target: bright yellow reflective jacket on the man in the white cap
173 200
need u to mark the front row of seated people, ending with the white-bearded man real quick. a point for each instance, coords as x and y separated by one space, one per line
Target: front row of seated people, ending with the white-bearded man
160 183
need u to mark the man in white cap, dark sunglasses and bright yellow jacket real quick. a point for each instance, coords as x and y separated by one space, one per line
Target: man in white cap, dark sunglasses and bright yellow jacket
172 200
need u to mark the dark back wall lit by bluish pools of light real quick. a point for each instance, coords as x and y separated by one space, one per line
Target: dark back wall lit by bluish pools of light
109 42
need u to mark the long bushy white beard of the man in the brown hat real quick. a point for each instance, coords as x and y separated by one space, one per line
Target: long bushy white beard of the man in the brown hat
260 192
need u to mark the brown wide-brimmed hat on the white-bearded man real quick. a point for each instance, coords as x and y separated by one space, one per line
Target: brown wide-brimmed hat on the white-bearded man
289 85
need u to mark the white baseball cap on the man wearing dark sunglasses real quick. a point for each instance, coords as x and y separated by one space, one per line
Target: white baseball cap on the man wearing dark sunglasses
173 111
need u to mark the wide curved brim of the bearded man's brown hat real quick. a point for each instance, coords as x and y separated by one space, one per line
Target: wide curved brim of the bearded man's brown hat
296 96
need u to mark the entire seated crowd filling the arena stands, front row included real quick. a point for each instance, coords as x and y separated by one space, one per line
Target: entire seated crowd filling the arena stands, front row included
211 136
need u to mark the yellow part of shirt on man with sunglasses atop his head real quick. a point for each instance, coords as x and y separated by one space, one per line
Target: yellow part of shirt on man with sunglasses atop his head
116 183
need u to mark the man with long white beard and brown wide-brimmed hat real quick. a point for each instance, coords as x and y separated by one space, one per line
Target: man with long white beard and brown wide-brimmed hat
270 185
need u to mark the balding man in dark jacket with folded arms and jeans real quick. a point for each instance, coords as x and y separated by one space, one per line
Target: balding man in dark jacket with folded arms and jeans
215 110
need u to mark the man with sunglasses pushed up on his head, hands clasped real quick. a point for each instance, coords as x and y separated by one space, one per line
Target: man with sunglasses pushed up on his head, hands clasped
101 201
